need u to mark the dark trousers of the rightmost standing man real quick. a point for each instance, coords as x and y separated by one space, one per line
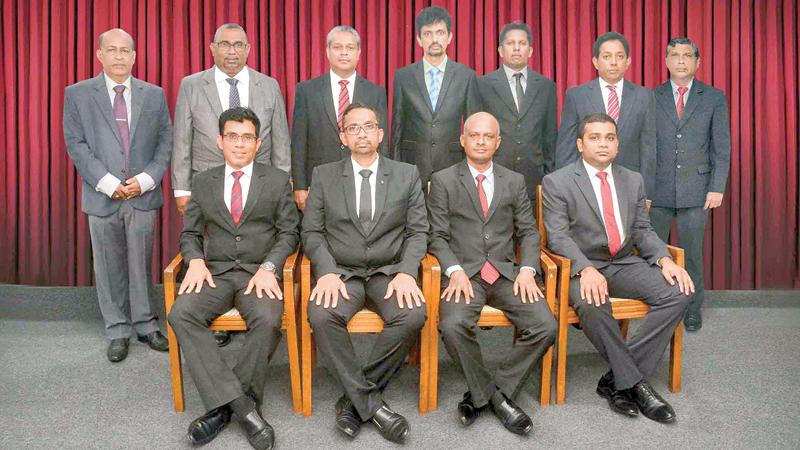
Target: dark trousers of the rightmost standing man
691 233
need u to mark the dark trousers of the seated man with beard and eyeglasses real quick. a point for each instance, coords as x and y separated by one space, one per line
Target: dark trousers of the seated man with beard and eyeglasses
401 326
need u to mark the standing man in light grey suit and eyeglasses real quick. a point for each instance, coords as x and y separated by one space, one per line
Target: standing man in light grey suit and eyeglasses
203 96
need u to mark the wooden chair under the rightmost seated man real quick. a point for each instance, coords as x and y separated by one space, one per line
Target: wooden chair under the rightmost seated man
623 309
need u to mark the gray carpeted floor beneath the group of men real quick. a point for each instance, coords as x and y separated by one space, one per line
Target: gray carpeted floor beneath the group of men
741 388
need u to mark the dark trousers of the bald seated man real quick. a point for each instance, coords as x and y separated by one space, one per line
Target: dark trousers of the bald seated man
535 329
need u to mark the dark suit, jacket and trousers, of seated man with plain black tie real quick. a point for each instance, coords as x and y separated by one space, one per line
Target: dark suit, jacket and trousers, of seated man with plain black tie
335 242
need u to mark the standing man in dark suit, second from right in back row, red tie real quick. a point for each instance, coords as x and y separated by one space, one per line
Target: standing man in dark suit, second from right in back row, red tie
631 106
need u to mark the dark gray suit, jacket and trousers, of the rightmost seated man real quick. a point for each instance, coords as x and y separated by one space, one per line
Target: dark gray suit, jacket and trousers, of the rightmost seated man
575 229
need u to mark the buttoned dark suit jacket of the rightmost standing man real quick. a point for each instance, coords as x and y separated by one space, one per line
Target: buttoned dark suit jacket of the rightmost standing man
694 152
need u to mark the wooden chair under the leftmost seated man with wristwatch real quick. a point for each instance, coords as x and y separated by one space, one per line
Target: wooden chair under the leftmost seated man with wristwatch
232 321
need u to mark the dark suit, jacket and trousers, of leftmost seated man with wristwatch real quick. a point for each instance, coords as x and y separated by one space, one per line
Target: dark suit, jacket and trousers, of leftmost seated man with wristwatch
267 231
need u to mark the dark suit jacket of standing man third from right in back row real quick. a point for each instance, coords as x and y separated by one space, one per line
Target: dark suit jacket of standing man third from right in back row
528 137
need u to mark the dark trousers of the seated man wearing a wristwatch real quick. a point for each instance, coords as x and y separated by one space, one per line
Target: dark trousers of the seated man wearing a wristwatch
190 317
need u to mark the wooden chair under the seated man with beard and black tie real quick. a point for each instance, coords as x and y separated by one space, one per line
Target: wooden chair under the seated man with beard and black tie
366 321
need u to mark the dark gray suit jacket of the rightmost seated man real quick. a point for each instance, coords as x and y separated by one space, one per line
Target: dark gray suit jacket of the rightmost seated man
574 220
